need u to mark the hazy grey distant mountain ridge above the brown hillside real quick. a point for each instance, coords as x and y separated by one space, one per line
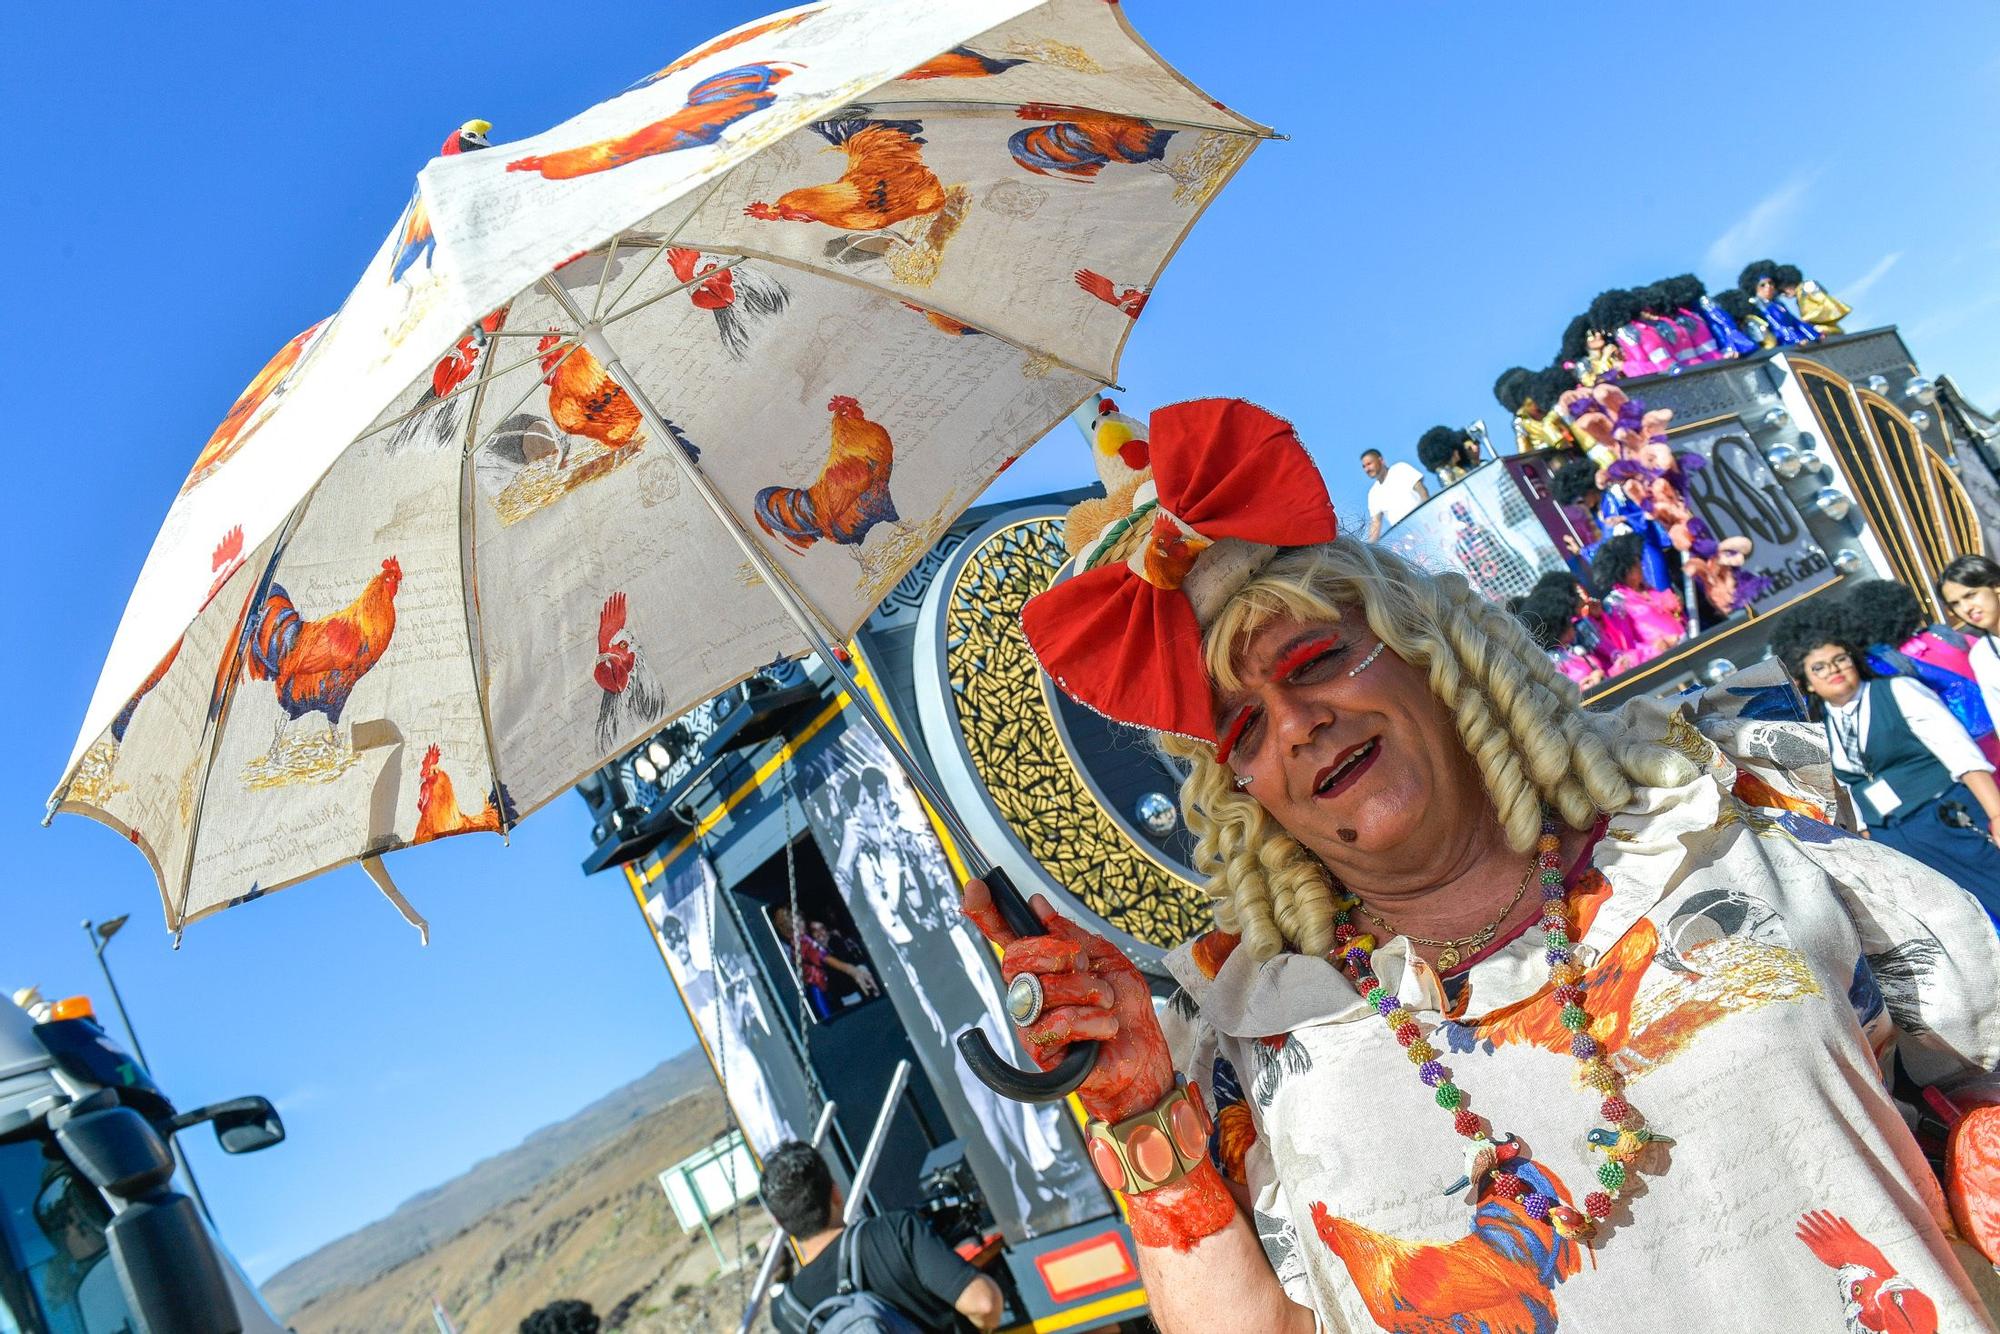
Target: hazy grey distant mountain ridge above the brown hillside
443 1213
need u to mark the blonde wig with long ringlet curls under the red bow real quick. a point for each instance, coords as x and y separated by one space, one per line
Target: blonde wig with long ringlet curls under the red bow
1519 717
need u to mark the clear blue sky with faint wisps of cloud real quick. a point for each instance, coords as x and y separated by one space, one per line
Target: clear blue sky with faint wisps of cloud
191 185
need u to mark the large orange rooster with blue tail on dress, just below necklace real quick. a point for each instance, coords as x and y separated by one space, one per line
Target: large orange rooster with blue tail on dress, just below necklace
1499 1279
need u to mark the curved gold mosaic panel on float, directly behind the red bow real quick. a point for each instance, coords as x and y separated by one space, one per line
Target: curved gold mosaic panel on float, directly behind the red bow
1017 747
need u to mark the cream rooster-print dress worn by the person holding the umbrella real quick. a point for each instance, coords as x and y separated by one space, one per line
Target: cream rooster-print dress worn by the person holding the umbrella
1759 979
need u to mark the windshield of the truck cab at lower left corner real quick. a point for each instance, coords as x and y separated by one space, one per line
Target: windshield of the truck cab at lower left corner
57 1275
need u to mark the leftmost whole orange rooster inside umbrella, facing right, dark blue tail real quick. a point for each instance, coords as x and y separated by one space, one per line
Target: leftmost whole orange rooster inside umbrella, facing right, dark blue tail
315 665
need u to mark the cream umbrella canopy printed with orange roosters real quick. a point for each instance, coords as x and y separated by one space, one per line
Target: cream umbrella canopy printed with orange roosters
439 561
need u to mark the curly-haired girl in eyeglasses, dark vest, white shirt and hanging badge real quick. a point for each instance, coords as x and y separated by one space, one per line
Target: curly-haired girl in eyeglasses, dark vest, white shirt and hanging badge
1917 779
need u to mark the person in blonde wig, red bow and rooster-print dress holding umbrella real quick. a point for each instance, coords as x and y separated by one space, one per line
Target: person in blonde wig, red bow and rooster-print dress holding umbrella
1495 981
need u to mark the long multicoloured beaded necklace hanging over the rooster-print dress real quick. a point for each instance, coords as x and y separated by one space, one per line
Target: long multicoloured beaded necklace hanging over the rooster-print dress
1487 1155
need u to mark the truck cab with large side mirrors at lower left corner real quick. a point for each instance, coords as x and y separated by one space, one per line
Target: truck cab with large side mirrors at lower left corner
95 1239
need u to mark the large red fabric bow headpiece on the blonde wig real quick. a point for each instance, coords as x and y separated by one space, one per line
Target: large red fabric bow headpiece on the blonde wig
1231 487
